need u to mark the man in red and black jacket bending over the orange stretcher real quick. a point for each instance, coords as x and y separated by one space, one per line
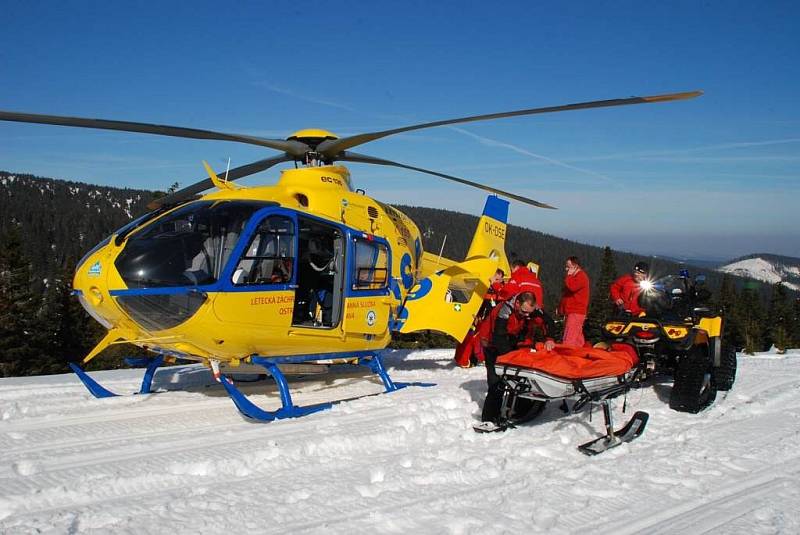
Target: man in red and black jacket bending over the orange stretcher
514 324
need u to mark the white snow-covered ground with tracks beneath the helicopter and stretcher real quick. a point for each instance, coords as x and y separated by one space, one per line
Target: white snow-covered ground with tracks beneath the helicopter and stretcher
407 462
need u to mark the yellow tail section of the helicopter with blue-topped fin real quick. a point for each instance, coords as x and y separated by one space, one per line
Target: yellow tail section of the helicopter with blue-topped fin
449 299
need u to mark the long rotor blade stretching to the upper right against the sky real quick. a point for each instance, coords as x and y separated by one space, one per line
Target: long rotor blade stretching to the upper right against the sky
331 148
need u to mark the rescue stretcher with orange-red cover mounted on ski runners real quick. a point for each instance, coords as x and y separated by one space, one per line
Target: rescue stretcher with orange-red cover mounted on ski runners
593 376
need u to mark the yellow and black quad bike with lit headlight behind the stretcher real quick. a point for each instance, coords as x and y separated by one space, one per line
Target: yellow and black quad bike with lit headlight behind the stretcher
679 335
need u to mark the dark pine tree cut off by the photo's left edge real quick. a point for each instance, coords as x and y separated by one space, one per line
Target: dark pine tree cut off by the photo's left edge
19 329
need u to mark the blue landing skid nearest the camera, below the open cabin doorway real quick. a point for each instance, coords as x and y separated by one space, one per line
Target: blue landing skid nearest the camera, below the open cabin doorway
370 359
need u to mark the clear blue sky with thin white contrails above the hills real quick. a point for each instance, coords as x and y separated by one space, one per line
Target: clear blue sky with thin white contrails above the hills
717 176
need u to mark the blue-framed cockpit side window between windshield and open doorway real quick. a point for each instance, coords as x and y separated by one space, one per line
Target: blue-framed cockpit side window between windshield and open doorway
269 257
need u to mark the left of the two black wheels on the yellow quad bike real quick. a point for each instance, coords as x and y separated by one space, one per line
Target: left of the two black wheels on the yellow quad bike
693 389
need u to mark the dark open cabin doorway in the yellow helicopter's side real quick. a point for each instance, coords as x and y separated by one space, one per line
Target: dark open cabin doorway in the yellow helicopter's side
320 275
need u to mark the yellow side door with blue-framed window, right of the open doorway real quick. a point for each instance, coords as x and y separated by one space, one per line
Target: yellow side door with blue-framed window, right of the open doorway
367 294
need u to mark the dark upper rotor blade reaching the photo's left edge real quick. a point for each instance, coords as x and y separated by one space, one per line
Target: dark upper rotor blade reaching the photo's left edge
293 148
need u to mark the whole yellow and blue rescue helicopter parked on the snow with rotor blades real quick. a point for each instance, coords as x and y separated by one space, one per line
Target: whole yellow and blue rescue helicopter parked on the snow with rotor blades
307 270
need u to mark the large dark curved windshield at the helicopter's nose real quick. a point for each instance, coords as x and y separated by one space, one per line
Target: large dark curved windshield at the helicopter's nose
188 247
